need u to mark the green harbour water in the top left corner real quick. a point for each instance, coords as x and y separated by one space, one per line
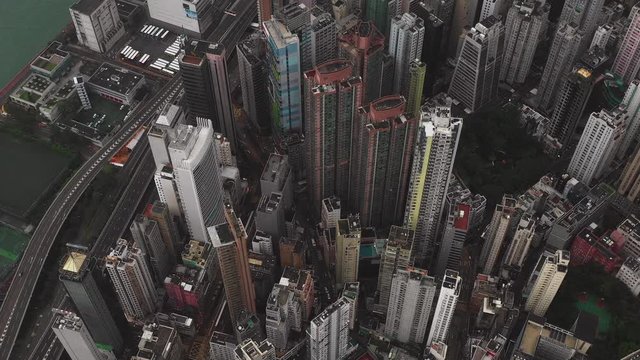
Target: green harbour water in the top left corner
25 28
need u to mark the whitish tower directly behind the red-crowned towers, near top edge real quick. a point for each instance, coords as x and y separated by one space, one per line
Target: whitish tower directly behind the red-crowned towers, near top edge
406 38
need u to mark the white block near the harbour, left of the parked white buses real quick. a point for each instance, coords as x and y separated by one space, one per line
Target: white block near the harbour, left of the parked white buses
98 26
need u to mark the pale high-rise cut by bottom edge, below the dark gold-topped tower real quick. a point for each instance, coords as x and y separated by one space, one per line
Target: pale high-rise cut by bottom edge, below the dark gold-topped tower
76 340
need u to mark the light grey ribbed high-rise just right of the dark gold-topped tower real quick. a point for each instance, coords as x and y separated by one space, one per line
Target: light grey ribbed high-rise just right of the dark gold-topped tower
132 281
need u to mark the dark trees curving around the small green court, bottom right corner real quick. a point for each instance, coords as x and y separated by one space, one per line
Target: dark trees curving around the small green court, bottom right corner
623 336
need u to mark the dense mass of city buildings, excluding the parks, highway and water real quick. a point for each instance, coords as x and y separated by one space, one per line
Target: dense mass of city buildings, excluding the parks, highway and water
365 114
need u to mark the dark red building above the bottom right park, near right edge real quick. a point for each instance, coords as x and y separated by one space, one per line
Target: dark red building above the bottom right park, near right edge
593 244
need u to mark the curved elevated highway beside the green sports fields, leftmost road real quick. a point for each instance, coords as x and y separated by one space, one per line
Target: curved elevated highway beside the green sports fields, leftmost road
21 290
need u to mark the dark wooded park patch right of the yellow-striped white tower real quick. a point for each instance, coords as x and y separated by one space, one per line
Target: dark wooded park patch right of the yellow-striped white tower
497 156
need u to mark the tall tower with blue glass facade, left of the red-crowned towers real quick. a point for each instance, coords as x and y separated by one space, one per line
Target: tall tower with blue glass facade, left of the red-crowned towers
284 77
